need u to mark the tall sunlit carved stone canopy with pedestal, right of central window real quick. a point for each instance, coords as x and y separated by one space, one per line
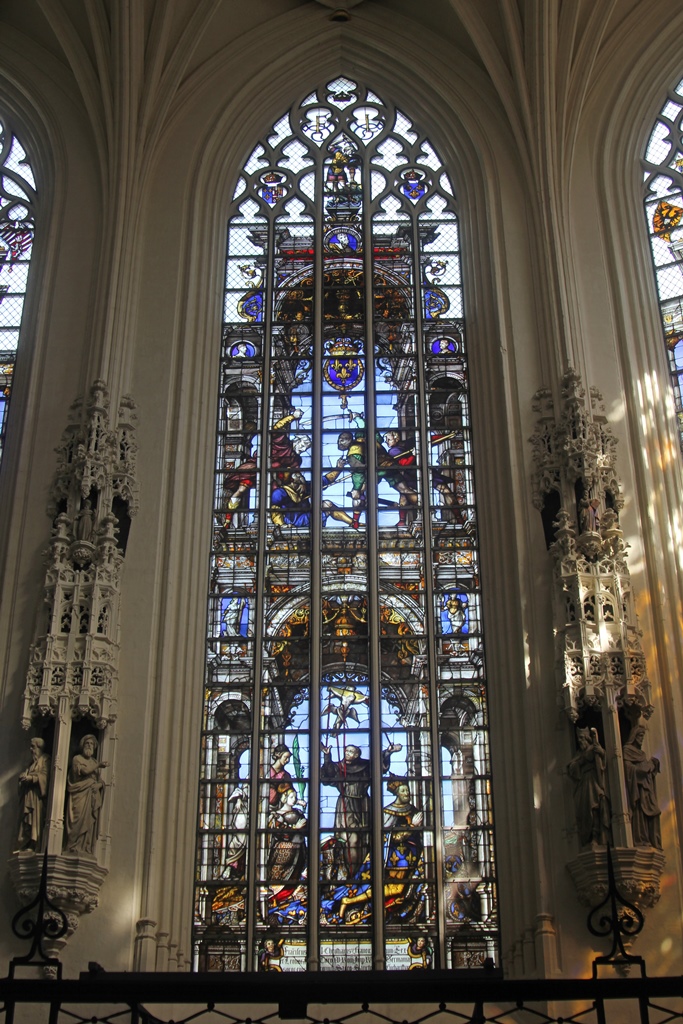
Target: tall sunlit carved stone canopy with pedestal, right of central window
601 667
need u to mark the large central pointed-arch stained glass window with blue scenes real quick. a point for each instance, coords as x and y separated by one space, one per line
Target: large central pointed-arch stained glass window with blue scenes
346 818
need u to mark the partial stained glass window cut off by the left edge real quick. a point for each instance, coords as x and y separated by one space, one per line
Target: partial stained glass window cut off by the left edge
18 193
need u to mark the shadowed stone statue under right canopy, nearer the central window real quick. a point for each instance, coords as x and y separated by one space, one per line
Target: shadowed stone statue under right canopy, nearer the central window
587 770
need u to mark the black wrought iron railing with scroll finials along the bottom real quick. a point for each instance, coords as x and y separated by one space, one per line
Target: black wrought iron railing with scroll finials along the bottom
479 997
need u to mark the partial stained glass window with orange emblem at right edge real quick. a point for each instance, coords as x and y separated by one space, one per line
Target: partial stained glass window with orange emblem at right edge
664 209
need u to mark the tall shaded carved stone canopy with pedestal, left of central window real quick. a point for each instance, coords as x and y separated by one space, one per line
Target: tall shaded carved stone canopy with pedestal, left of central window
72 684
